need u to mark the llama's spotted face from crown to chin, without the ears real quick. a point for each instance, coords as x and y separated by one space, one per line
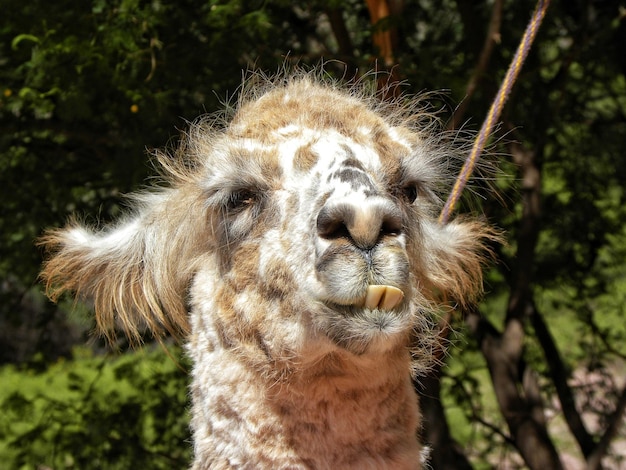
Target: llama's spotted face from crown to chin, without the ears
314 200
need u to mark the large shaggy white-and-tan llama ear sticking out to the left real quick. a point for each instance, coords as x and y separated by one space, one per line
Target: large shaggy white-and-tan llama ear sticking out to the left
137 273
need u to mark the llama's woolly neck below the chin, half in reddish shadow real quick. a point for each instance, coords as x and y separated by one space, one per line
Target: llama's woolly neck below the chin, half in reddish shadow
341 412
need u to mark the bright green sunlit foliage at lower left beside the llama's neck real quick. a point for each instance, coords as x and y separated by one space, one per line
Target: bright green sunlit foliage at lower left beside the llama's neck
97 412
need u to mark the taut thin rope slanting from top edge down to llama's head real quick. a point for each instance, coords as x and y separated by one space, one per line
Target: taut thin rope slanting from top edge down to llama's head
496 109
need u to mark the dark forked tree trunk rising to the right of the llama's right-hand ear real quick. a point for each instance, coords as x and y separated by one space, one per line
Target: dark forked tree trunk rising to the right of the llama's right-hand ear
515 387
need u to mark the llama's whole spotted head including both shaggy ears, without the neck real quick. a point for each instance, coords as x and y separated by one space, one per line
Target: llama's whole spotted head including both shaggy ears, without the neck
274 228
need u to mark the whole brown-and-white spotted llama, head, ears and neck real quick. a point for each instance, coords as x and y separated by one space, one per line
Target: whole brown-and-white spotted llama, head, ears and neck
295 247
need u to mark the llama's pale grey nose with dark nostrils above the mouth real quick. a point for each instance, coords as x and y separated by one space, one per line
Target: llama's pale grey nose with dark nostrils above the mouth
364 223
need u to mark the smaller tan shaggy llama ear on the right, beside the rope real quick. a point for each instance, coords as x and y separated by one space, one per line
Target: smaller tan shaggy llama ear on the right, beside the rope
459 250
